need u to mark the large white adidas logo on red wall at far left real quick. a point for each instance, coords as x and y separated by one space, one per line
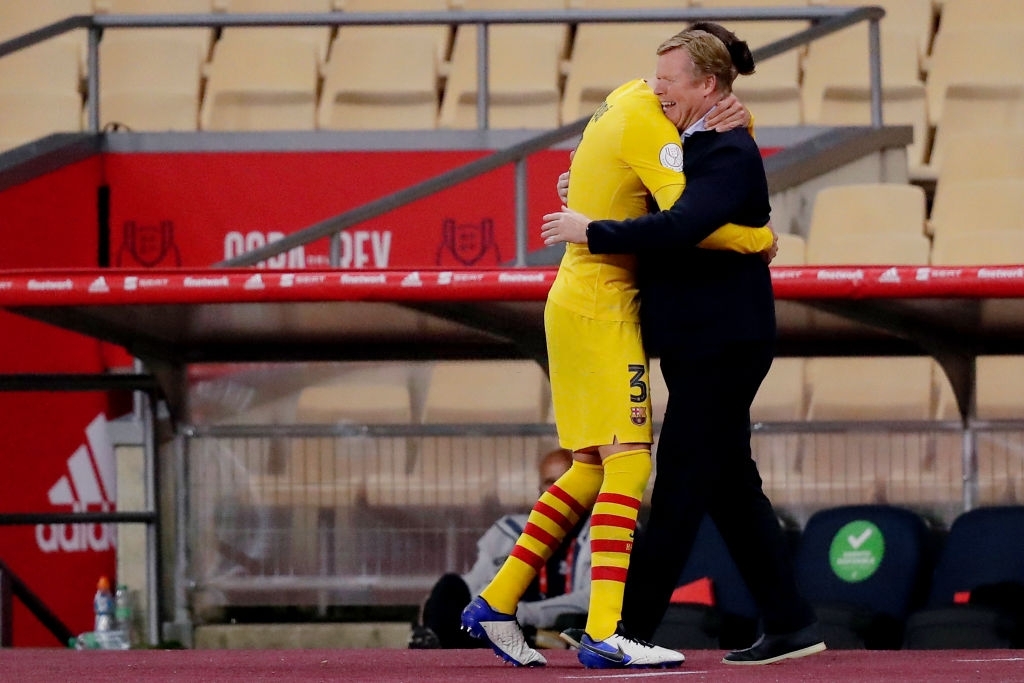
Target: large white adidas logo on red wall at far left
90 486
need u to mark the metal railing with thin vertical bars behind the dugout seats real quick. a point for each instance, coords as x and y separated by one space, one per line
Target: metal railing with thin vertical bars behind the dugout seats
321 516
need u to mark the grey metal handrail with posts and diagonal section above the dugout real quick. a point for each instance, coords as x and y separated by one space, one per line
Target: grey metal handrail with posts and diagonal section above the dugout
824 21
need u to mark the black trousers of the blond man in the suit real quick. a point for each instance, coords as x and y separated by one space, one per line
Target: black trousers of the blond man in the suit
705 466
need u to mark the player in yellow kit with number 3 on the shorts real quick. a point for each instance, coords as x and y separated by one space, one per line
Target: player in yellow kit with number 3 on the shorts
600 382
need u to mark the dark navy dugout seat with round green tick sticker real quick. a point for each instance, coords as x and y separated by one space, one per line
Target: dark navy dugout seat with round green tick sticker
865 569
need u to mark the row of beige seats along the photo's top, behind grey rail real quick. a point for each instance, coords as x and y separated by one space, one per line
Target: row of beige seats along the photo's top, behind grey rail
362 78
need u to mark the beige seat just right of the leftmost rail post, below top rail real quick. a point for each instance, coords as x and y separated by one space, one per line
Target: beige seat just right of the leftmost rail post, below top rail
151 82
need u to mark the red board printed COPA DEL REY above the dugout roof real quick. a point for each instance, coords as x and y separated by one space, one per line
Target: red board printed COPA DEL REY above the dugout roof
170 210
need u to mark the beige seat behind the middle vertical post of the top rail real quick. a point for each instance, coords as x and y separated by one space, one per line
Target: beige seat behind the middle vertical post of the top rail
525 71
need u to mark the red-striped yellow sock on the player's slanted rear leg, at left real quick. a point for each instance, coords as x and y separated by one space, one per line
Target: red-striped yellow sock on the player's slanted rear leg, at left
556 514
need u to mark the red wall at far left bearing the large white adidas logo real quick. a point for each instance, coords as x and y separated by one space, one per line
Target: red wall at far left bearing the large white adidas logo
54 449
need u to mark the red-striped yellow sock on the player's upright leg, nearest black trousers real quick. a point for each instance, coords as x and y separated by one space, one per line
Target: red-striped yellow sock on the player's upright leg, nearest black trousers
612 529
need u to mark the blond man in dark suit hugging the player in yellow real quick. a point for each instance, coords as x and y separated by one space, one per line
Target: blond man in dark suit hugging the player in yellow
710 317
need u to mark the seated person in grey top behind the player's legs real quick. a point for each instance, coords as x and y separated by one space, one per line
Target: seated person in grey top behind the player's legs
563 587
